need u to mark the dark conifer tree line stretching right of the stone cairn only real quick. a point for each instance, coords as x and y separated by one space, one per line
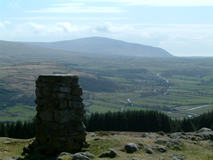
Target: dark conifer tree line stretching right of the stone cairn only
146 121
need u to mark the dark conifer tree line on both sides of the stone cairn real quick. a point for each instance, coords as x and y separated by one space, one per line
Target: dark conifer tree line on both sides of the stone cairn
138 121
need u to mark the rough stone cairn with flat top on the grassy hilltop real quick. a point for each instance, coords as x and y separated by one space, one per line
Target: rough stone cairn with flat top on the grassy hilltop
60 115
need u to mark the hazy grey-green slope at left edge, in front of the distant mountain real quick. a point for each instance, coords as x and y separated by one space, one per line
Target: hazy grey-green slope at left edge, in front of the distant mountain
15 52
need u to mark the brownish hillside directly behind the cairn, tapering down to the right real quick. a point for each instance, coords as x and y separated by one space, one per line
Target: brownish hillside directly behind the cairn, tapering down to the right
17 87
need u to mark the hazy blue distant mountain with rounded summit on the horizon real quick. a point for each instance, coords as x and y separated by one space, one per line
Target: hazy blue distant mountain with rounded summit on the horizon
104 46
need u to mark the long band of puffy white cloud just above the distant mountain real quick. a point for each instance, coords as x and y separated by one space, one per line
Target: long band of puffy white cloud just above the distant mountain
164 32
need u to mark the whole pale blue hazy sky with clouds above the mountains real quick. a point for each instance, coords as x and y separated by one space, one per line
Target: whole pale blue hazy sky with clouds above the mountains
182 27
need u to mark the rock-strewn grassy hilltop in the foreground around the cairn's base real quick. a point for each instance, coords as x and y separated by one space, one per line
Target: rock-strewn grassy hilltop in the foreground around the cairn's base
149 146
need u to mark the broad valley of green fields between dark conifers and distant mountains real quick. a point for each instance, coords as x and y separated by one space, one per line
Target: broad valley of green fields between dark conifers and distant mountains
109 81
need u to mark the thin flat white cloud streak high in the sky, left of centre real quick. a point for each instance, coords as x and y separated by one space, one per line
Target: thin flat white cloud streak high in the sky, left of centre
77 8
